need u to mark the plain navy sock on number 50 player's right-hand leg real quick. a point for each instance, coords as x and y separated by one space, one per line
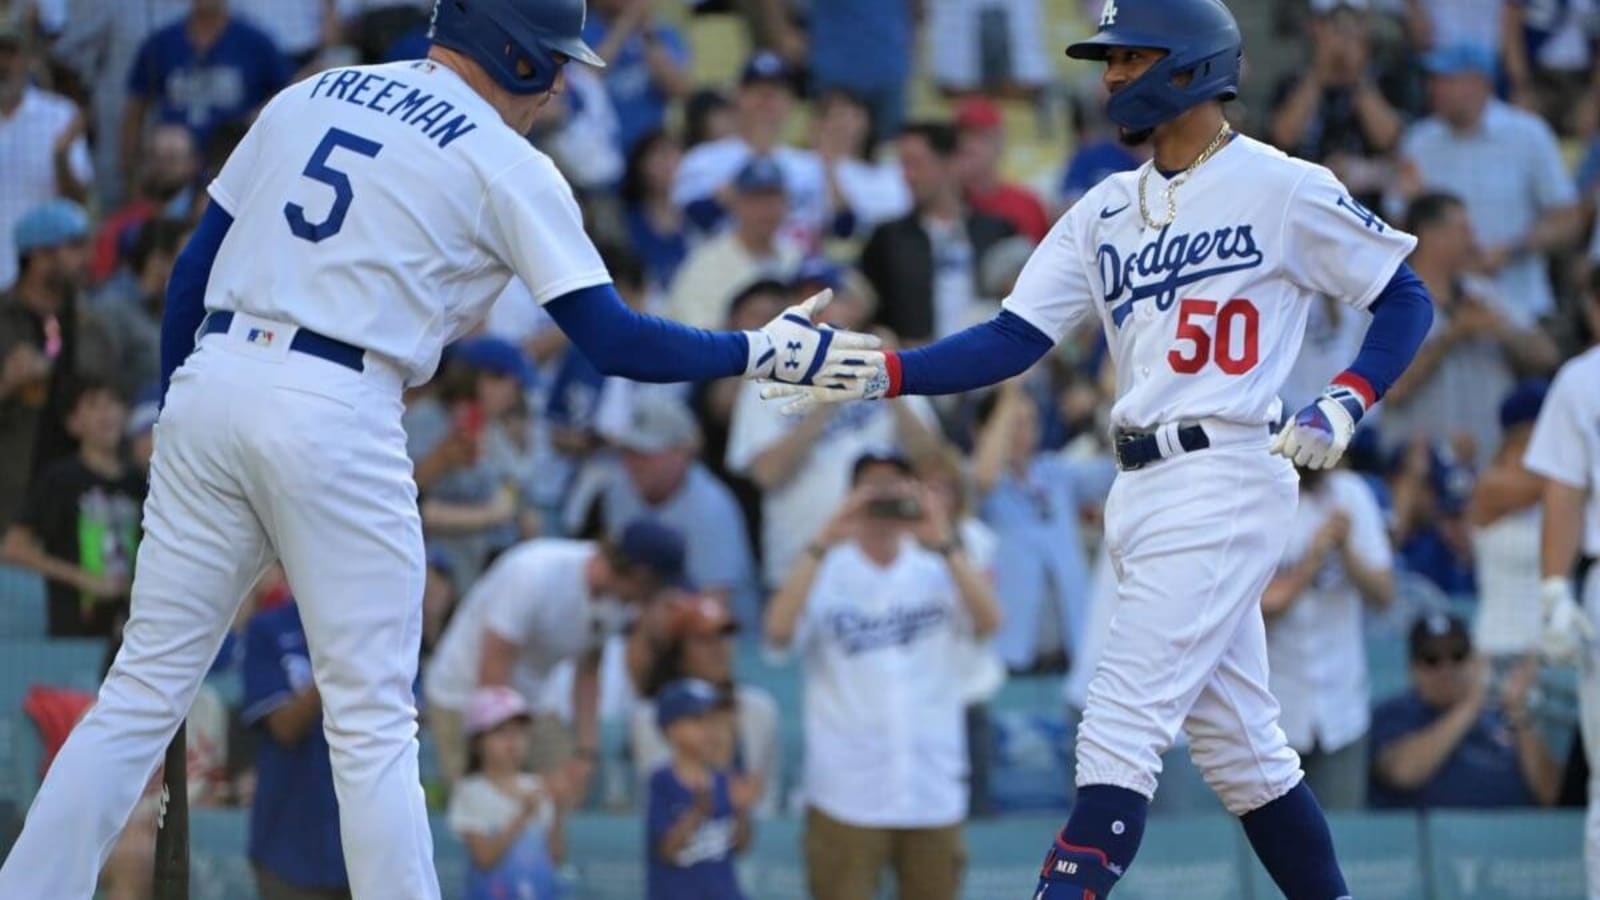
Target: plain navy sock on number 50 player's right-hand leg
1292 842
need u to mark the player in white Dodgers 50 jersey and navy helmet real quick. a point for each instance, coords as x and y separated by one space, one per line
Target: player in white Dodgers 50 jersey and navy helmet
1202 267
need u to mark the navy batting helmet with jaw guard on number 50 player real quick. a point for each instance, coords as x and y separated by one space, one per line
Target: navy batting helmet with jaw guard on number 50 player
1199 36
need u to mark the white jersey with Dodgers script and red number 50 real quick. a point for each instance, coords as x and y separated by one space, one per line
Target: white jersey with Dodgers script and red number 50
1206 318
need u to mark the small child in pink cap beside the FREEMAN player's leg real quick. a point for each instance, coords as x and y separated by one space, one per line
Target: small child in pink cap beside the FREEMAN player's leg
506 818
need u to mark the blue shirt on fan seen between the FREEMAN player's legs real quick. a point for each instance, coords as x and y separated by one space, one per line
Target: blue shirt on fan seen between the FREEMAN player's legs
295 821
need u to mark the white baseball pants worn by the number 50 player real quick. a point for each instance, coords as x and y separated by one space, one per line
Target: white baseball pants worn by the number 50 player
1194 542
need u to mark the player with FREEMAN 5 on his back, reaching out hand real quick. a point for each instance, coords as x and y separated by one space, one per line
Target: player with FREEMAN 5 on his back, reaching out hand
369 217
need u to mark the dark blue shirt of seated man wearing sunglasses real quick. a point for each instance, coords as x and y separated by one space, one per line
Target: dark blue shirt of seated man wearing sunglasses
1481 774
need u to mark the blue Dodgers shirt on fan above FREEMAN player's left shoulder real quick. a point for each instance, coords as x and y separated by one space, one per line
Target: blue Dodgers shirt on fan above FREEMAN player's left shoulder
206 89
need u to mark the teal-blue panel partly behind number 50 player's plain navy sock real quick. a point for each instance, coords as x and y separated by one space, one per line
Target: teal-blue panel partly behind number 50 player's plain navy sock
1382 856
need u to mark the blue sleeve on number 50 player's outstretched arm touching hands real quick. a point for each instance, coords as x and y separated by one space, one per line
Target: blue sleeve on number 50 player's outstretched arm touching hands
967 361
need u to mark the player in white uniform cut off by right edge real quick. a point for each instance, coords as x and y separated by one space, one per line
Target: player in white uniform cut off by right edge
1566 451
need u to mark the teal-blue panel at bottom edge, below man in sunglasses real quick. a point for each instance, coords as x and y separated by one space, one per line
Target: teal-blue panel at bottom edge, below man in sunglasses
1506 854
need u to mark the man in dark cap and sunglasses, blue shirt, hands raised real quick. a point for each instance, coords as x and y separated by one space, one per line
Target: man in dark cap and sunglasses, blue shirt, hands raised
1452 742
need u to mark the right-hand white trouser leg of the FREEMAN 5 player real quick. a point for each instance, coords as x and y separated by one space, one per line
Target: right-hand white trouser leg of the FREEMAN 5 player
334 489
